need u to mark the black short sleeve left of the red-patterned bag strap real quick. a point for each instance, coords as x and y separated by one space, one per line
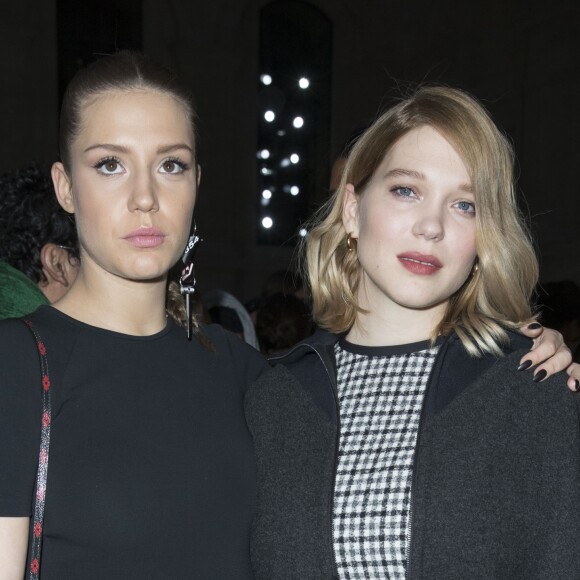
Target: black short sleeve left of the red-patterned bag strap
20 410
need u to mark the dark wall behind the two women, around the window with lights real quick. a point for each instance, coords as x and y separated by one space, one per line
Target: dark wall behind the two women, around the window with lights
521 57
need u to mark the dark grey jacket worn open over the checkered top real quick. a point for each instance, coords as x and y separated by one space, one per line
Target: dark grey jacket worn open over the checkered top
497 488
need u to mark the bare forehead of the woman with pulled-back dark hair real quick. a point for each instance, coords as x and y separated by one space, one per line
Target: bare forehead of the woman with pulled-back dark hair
148 113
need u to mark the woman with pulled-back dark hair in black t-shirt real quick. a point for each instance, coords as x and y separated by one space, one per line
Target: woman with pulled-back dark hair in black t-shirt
151 470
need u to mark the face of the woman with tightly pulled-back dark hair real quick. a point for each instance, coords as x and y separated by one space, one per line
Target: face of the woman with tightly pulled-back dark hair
132 183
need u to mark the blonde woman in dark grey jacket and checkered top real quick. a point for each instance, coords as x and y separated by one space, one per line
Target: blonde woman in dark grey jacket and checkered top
406 442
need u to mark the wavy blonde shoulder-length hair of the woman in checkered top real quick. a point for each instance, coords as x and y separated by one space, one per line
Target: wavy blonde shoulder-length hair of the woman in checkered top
497 294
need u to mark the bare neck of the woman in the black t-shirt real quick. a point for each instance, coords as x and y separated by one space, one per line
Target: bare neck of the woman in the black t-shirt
113 303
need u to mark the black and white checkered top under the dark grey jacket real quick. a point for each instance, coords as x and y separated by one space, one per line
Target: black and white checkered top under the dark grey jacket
380 391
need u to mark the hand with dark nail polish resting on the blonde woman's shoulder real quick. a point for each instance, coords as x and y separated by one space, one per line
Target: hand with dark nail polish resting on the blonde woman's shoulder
549 355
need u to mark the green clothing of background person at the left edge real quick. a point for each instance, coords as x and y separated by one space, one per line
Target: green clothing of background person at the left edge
19 295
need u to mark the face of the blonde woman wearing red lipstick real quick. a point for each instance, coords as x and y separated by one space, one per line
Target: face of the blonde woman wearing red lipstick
415 224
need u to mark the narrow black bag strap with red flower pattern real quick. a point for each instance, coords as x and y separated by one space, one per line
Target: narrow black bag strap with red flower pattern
39 498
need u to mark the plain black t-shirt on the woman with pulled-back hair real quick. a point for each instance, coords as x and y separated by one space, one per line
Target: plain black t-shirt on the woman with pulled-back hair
151 471
